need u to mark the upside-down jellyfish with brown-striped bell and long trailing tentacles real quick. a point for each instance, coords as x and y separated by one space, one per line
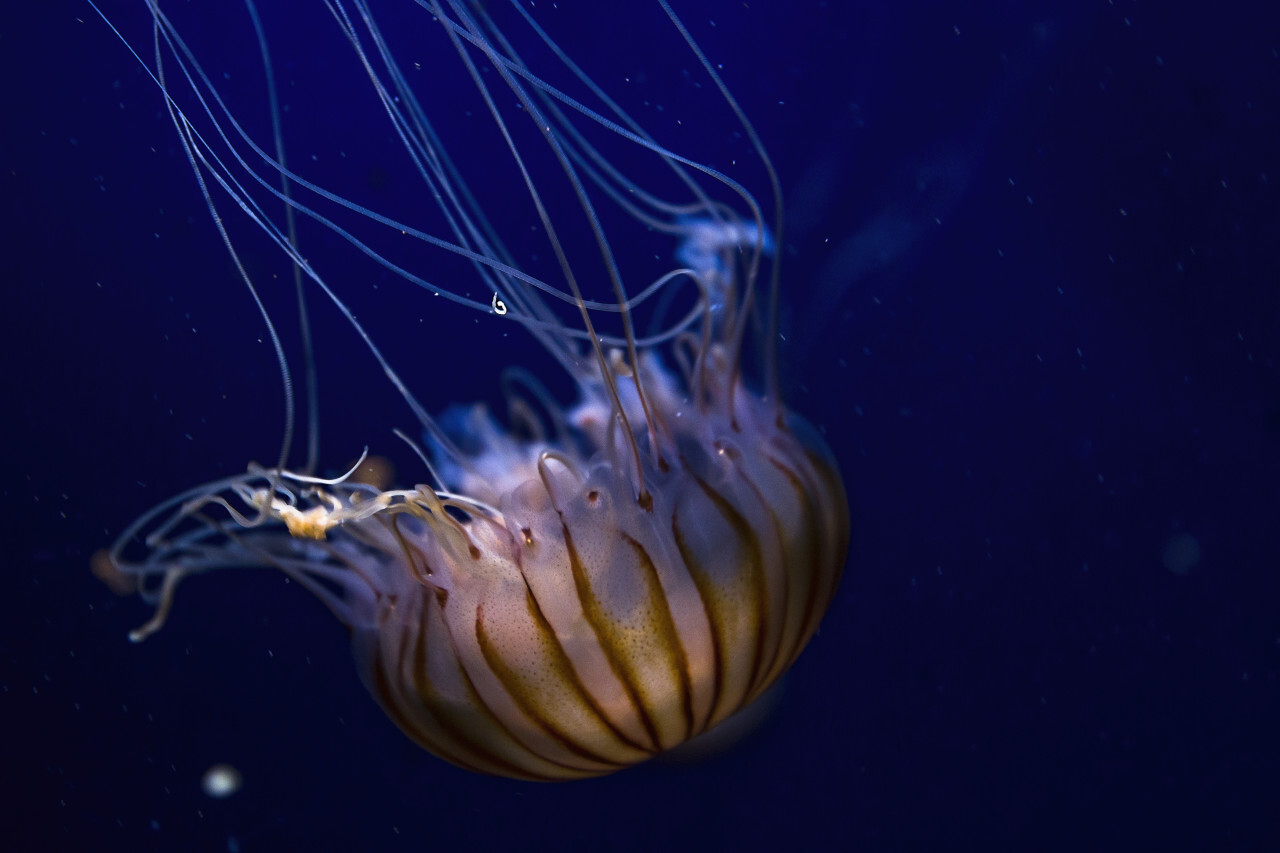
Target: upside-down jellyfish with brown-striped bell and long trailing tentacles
584 586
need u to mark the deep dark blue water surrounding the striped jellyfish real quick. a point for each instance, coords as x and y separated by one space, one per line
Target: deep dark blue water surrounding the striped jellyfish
1031 298
